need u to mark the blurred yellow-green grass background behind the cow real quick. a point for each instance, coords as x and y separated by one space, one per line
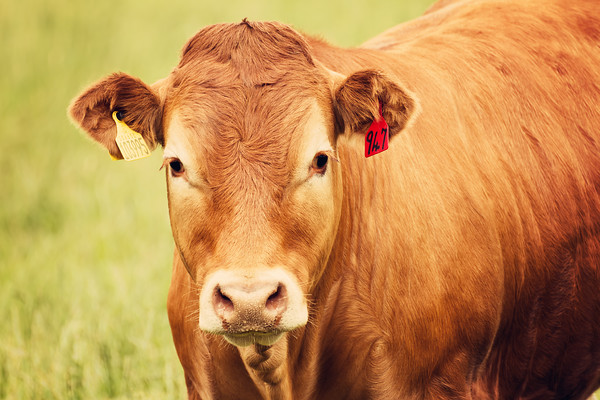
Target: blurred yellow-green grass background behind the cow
85 242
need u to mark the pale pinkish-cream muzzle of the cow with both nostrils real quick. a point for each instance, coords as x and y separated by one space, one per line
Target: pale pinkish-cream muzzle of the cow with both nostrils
248 309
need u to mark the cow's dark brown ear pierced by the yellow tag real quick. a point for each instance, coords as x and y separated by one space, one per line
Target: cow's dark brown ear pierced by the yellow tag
139 107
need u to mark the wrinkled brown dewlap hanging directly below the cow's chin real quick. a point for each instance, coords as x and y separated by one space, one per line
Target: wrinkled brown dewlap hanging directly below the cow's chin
268 368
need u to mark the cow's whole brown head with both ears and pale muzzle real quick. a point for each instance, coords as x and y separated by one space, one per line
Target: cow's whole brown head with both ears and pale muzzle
249 122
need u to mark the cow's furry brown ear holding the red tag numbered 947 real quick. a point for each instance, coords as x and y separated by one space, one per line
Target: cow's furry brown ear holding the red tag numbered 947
358 97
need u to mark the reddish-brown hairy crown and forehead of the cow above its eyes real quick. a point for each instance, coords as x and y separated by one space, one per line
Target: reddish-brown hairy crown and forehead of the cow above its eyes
244 90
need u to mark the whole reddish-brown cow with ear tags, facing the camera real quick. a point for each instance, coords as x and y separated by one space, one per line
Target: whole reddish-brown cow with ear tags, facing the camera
461 263
